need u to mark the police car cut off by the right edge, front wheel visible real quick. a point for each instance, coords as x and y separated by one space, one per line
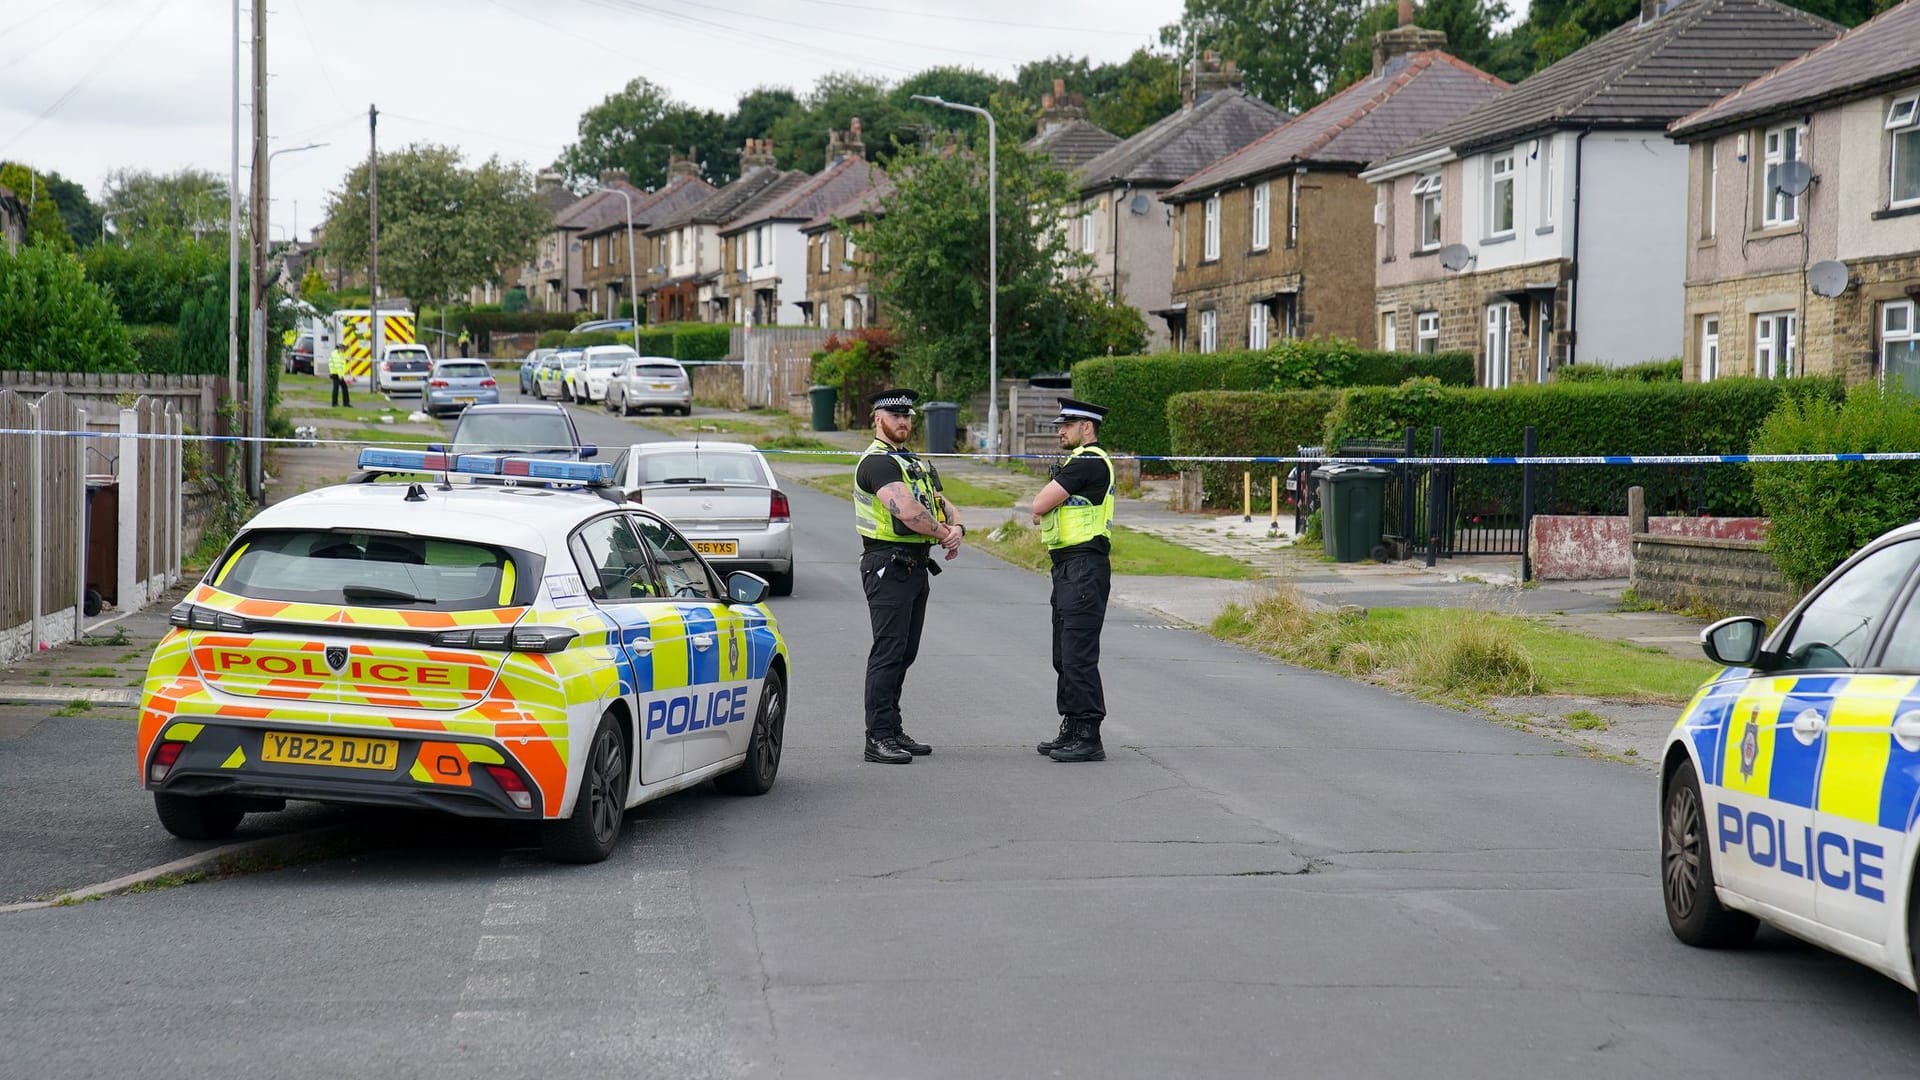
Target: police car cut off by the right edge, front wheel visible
1792 785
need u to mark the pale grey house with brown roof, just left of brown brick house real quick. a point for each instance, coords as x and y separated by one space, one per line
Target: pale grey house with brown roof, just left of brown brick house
1120 222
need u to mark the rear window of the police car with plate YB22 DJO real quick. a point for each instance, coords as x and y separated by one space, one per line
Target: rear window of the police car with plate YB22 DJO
370 570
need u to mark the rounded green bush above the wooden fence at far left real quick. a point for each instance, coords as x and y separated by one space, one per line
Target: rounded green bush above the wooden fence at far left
55 320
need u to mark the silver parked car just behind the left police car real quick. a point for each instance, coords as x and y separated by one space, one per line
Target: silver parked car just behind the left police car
723 497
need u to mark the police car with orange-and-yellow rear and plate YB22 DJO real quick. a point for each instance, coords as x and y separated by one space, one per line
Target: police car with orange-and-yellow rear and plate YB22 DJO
527 649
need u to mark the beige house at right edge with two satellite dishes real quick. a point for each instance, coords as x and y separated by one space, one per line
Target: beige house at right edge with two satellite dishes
1850 112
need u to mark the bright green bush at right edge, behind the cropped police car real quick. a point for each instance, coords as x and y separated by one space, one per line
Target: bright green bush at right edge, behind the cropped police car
1827 510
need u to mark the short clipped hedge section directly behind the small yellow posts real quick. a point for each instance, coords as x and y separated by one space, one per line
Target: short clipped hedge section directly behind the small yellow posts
1241 424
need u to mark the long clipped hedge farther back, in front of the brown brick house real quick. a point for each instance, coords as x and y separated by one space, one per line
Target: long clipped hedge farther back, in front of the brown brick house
1138 387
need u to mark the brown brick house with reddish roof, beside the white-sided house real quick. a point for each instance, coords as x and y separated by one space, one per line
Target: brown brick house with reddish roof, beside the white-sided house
1272 241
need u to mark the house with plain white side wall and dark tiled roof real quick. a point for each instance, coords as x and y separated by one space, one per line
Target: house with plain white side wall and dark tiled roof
1547 226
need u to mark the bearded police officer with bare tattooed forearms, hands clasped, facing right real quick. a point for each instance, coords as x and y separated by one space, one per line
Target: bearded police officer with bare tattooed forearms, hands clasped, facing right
901 514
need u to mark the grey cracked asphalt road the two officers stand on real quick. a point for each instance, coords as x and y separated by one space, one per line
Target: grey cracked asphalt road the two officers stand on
1276 873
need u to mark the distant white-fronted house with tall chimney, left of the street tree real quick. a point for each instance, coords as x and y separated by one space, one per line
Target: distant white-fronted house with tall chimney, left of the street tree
767 251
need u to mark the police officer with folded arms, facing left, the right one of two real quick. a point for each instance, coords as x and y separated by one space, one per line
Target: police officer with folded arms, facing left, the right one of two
1076 518
